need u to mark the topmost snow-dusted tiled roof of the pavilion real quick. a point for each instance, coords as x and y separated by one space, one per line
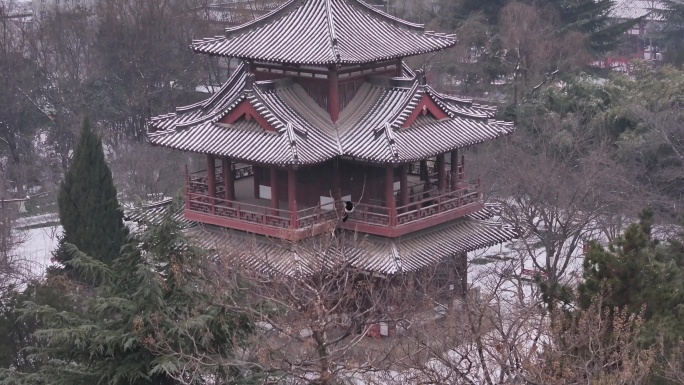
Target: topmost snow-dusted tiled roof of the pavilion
321 32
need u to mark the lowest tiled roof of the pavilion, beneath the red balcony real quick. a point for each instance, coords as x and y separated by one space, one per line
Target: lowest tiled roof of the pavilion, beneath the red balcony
370 253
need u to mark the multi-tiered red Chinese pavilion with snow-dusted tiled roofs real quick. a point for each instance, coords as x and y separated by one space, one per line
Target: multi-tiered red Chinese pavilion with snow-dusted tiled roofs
322 110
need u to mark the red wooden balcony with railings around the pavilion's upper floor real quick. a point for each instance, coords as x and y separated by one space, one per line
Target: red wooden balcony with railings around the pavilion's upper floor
248 213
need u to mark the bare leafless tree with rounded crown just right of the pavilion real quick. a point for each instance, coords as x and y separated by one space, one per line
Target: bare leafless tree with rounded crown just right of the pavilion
558 183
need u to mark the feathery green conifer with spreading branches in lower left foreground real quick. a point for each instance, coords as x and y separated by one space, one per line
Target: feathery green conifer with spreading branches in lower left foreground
152 299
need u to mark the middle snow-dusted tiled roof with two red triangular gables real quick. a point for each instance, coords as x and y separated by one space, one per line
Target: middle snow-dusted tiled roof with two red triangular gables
370 127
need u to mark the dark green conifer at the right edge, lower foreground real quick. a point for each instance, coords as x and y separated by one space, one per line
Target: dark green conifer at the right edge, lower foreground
643 275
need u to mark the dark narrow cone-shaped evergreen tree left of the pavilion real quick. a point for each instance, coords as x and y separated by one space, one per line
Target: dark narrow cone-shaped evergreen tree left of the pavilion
89 212
